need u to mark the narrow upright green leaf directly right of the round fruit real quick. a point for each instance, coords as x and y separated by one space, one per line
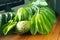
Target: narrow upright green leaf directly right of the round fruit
34 26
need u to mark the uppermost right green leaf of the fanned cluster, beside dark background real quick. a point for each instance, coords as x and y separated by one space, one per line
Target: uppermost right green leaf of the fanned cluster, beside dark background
50 14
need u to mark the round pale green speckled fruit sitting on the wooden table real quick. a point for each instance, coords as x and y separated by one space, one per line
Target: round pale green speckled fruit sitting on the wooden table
23 27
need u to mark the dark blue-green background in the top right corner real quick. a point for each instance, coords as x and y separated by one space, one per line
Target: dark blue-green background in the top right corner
55 5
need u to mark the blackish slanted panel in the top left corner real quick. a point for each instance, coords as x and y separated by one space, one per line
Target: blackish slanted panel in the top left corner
10 3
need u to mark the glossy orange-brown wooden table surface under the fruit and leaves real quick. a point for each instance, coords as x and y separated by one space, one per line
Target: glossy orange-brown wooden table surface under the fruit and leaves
54 35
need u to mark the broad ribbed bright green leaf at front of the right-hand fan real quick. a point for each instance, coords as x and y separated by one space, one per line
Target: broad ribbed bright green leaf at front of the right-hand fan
45 25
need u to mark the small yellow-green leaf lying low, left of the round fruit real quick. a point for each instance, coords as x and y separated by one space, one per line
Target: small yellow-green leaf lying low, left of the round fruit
8 27
